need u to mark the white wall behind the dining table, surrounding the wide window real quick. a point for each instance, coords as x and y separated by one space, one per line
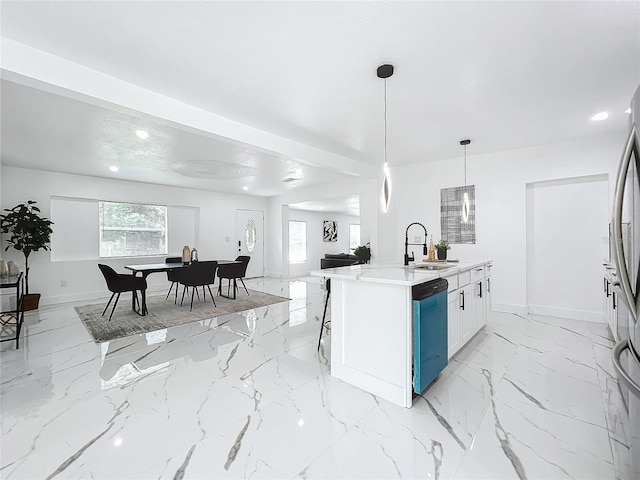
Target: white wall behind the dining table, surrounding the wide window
217 220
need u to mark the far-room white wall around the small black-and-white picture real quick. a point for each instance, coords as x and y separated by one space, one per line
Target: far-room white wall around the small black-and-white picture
316 246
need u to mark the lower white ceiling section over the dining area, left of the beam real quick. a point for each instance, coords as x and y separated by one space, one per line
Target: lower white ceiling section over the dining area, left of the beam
52 132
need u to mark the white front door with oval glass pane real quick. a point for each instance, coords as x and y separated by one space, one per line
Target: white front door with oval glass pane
250 239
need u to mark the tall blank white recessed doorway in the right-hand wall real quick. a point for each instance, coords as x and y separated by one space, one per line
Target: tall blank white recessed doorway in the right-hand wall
567 241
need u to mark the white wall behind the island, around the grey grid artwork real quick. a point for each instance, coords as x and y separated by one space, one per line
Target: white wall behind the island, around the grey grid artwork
500 179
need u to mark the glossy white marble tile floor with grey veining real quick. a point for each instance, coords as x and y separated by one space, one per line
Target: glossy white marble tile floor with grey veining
248 396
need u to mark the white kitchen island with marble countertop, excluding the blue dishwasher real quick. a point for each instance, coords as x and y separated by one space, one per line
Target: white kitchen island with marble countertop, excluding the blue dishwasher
372 320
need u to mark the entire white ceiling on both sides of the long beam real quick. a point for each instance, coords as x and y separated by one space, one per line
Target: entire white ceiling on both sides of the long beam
504 74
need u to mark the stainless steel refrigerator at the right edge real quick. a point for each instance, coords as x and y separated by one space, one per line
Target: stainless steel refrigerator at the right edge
626 255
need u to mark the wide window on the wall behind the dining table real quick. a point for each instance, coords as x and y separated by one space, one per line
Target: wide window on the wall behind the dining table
132 229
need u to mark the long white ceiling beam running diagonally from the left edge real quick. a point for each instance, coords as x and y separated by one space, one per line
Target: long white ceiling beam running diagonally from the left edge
35 68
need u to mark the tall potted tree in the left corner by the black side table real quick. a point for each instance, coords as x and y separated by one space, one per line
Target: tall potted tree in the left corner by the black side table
29 232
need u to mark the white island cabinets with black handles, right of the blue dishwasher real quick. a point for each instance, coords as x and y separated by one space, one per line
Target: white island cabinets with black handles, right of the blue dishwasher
469 306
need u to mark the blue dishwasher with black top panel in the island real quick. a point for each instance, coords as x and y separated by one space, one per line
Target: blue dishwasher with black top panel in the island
429 332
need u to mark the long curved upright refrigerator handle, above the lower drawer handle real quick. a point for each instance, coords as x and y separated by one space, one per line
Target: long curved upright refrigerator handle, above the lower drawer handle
631 299
